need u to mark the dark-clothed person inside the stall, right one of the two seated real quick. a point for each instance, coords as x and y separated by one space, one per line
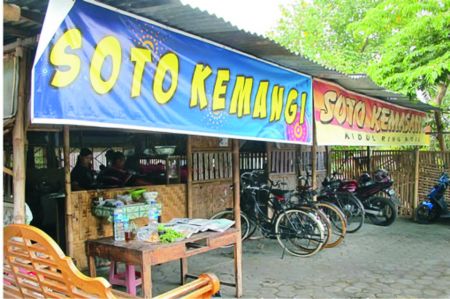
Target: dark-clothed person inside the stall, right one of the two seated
116 175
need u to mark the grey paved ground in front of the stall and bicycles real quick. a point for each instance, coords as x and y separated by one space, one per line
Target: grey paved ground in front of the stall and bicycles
405 260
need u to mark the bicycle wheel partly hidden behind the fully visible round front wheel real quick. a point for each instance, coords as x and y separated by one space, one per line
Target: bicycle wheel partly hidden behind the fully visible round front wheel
338 223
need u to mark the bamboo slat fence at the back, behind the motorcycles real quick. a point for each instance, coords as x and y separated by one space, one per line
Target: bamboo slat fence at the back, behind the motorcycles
401 166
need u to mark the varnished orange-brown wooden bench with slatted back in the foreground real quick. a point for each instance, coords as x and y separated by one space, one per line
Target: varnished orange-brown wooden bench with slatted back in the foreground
35 267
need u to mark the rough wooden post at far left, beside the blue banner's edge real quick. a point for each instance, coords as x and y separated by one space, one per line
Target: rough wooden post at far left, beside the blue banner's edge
19 137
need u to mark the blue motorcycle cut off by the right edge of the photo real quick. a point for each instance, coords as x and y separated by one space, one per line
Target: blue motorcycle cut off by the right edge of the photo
434 206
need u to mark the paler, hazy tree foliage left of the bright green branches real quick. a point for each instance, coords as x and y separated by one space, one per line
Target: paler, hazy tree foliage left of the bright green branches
318 30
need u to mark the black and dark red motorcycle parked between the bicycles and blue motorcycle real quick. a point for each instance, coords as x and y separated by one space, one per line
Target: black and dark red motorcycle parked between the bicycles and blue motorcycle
379 209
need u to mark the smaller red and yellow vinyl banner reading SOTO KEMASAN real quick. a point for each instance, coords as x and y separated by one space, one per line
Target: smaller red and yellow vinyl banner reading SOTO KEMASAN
346 118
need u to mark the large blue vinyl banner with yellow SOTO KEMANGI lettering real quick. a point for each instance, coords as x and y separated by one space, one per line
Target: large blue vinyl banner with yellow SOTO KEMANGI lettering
101 67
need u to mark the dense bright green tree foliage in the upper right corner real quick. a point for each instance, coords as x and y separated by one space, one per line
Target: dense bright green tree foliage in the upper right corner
411 39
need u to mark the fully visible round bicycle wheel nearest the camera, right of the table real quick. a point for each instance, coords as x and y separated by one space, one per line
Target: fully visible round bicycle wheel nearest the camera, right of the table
299 232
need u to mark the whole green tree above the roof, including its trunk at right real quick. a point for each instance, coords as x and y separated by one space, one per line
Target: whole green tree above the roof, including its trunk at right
403 45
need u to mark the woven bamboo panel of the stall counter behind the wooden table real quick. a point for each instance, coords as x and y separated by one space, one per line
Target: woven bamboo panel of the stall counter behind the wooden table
86 226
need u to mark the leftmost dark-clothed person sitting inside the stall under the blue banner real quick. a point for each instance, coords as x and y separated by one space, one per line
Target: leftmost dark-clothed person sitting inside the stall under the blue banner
82 176
